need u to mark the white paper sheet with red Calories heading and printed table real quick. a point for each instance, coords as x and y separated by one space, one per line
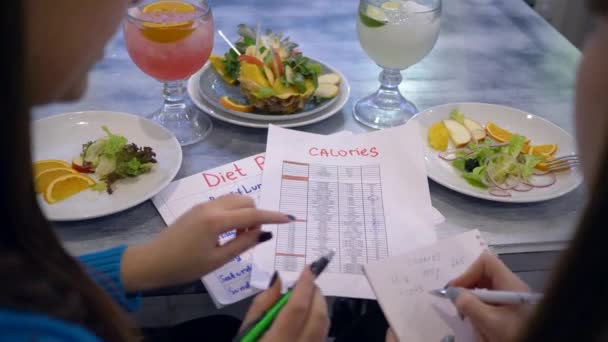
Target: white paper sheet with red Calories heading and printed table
364 196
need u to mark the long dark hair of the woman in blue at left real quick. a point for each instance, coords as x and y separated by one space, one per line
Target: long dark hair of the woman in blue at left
38 274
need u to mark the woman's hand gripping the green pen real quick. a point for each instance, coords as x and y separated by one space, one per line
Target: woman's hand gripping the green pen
304 317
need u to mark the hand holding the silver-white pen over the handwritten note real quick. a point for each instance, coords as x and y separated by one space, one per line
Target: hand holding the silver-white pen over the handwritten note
491 322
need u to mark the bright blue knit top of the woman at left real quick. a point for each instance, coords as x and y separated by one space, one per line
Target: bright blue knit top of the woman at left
104 268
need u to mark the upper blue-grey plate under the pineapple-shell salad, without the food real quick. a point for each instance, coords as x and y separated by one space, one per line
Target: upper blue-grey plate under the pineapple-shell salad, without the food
212 88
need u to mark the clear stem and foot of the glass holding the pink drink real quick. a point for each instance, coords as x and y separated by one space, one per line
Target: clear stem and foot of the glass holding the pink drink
178 116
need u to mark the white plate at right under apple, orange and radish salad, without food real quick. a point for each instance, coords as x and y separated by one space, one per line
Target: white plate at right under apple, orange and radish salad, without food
539 130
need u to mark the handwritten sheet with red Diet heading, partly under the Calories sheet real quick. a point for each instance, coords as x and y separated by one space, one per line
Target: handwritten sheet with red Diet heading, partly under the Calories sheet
229 283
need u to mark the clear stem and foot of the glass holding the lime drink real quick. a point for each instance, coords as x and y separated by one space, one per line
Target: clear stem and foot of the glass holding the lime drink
386 107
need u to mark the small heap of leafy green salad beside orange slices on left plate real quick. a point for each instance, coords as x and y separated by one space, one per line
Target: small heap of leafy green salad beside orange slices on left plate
112 158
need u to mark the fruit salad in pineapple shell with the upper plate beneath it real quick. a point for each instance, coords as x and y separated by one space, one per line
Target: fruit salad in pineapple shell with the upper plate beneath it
264 76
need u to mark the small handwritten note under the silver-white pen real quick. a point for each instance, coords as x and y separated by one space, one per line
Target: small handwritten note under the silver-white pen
402 283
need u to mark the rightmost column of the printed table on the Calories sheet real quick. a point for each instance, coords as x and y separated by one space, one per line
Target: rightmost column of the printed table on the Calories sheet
375 228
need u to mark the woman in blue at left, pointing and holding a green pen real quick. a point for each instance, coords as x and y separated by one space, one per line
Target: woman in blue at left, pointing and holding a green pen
45 293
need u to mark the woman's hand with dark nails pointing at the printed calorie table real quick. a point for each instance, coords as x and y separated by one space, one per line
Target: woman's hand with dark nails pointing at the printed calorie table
189 249
